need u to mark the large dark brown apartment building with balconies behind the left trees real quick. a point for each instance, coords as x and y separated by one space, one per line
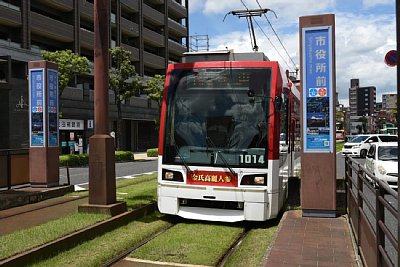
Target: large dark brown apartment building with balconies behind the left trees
154 31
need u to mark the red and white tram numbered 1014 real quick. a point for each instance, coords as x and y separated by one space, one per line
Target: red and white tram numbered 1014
229 138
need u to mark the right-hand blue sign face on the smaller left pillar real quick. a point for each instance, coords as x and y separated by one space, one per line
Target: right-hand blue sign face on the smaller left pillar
52 104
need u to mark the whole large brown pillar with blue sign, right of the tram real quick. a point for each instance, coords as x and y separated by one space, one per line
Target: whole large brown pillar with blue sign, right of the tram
318 83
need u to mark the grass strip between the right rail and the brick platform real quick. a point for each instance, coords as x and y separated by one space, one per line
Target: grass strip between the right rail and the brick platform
251 251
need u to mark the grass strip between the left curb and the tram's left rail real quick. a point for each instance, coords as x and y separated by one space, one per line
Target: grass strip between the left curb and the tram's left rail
99 250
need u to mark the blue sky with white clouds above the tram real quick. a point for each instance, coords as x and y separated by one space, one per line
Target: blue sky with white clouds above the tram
365 31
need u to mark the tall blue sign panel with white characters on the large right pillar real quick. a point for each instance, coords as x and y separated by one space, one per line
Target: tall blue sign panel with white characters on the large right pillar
318 127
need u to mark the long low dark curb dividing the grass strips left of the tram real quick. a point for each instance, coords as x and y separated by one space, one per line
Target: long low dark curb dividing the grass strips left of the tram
70 240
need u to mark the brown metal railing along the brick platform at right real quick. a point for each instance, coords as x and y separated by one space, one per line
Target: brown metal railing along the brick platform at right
373 215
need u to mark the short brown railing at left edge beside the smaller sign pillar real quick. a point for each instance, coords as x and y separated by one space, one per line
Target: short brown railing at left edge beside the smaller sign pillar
14 167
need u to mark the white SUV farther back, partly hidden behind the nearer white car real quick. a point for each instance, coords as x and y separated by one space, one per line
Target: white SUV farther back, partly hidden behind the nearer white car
360 144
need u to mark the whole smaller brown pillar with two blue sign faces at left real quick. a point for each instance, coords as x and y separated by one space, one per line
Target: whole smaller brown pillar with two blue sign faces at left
43 124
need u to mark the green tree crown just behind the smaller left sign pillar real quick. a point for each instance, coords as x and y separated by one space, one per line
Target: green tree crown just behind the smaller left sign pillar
69 65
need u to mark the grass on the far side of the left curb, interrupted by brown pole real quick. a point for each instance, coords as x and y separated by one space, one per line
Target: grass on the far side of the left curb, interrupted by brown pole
136 192
